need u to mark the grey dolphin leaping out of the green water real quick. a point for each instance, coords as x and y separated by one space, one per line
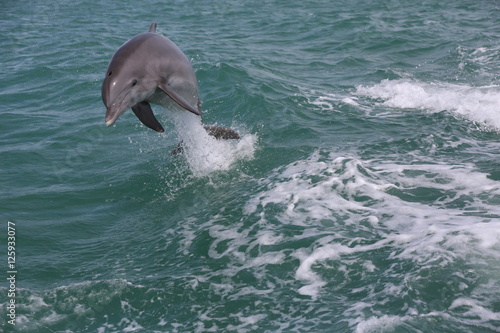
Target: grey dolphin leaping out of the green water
150 68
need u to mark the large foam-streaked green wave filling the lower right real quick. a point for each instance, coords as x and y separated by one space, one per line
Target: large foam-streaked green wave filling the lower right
435 223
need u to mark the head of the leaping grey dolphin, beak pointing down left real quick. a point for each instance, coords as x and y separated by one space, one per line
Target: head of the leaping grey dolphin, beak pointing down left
126 82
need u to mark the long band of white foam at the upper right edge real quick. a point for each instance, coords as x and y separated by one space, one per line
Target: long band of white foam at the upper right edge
479 104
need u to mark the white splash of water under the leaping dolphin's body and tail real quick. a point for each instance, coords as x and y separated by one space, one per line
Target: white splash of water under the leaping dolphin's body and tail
204 153
